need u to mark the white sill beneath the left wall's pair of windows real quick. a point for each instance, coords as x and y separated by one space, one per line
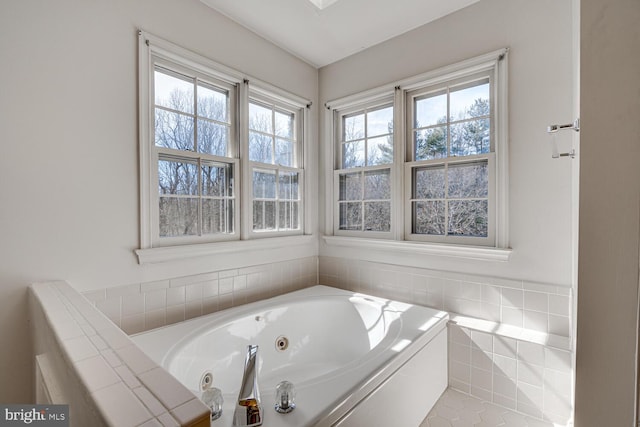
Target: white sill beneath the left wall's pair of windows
174 253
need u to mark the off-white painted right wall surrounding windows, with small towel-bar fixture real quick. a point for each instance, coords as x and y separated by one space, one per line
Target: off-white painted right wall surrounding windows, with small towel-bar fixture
541 93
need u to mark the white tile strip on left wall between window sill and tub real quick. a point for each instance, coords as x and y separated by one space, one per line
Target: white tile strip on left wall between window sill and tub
143 306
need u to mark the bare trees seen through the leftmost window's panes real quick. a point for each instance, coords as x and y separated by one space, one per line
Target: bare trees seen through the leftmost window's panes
192 199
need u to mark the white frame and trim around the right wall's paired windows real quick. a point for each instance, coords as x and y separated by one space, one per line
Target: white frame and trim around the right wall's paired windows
497 246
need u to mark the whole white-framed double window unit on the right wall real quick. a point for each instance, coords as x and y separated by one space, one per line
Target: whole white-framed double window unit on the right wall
425 160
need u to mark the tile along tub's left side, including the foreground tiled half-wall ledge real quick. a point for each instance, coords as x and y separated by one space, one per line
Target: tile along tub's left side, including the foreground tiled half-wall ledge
106 378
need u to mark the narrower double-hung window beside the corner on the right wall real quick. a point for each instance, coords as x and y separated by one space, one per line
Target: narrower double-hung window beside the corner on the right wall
363 178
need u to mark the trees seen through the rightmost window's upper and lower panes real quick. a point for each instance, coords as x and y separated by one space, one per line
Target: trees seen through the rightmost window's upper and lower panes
452 199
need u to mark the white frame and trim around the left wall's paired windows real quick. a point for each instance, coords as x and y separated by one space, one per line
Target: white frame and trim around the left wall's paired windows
152 50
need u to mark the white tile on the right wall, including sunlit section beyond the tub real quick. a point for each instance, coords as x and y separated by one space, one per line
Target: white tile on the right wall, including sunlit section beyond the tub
509 340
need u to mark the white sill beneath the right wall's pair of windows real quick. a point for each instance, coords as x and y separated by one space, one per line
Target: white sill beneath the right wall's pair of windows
467 252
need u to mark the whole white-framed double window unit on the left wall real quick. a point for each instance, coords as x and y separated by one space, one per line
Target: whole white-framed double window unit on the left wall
221 157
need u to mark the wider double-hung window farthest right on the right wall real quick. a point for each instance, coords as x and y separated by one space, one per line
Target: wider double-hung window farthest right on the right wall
451 162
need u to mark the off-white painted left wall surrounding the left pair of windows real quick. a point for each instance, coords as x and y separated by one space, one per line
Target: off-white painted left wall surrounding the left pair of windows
69 162
